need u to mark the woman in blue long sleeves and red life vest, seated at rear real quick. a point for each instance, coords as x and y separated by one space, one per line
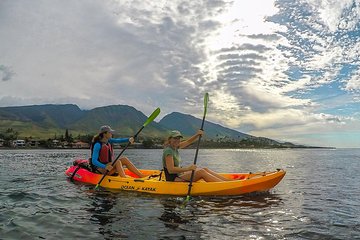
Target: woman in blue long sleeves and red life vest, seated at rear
102 154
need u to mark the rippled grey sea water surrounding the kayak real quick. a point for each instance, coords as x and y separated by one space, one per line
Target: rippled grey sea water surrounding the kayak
319 198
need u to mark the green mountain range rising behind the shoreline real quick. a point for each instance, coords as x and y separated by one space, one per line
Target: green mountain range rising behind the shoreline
49 120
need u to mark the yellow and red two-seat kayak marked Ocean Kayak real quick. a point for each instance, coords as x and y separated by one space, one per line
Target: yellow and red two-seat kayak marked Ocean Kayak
155 183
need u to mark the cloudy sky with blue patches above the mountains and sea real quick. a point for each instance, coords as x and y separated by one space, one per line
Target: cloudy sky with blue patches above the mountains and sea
288 70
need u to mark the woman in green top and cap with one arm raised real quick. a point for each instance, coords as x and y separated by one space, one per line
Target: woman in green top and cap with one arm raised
171 161
